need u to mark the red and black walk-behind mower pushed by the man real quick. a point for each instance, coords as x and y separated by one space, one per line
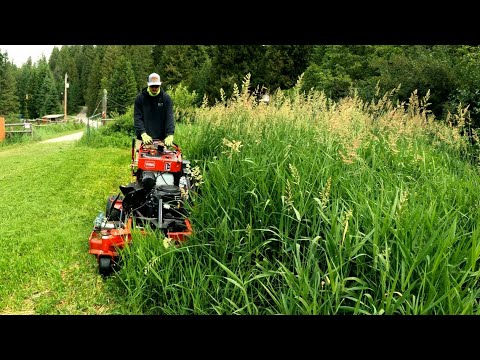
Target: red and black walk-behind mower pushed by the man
155 199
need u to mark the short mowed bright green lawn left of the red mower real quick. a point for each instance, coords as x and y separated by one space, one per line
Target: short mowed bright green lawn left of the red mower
50 194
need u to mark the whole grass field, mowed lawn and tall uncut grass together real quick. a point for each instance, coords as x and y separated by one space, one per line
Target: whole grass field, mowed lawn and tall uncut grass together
305 207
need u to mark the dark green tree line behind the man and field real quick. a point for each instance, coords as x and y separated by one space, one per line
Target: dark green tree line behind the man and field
448 74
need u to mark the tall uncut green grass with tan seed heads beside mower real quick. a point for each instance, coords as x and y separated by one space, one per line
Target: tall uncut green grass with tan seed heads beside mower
314 207
